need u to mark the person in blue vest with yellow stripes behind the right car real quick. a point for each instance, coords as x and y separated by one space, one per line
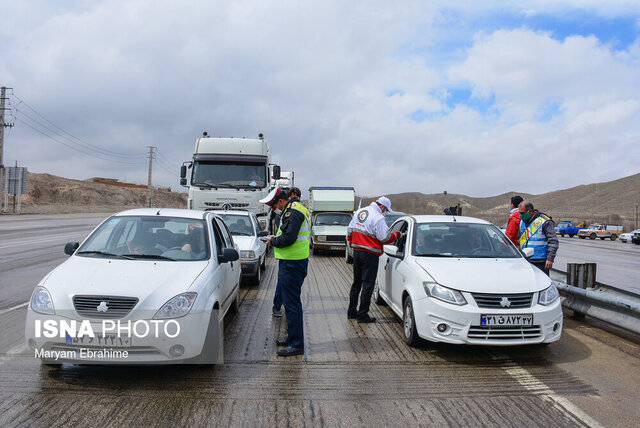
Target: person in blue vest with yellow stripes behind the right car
537 231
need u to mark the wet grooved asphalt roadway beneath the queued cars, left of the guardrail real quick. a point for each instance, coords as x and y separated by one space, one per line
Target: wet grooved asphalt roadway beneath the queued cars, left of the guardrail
351 375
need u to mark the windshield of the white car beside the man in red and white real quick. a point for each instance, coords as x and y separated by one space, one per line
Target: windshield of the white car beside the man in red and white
466 240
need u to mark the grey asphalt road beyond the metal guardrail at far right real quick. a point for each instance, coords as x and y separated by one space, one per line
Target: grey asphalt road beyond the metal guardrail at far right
618 262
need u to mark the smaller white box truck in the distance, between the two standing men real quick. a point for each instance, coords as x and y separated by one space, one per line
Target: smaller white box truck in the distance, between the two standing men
331 211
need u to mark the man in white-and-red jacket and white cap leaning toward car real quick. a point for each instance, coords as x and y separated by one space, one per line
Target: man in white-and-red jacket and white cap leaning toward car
367 233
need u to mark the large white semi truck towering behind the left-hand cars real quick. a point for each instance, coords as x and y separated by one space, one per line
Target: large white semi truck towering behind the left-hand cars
230 174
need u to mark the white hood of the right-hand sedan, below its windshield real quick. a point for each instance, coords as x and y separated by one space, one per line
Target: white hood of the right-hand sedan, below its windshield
485 275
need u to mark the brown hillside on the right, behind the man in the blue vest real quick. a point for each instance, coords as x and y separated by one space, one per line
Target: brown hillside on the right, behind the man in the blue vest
613 202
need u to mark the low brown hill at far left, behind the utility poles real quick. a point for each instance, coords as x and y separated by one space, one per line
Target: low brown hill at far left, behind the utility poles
49 194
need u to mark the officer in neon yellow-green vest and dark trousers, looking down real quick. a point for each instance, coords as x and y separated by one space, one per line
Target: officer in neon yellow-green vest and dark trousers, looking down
291 248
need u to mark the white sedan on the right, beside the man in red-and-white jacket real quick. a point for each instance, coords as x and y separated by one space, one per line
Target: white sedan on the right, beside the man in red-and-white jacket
460 280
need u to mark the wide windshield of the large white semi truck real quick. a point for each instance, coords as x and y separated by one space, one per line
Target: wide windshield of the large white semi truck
223 174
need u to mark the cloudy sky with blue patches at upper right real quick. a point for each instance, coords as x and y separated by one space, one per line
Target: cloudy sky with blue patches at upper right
472 97
